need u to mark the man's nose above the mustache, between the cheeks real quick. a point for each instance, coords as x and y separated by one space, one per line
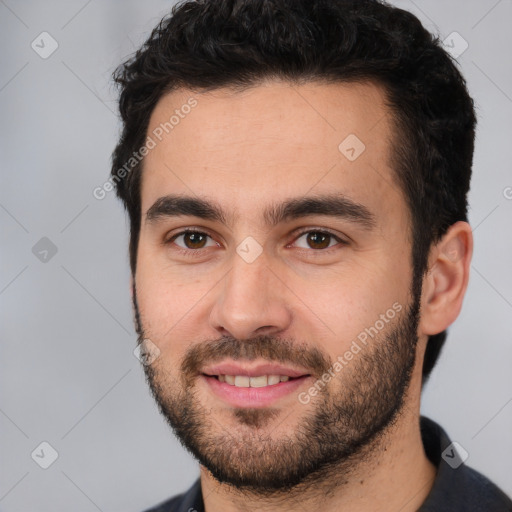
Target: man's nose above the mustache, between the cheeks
251 301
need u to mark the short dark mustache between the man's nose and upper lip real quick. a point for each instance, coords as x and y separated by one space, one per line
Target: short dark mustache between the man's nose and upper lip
265 347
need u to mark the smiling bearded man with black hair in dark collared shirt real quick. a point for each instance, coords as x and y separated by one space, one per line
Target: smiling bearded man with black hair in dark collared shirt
295 173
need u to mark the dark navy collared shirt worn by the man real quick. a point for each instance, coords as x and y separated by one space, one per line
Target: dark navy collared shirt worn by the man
457 487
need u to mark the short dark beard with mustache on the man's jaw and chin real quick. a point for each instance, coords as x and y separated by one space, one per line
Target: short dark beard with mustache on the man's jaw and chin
340 428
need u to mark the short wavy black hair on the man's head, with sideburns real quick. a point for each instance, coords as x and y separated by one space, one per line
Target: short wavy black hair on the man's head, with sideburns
208 44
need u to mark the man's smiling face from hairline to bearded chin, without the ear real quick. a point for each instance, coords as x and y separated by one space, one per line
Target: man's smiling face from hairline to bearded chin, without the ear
287 276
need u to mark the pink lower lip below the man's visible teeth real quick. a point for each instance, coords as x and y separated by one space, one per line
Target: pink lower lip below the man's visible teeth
253 397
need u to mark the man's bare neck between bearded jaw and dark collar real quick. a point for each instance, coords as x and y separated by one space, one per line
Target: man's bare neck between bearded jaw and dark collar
392 474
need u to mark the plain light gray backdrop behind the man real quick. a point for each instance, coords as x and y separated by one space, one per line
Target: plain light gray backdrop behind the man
68 375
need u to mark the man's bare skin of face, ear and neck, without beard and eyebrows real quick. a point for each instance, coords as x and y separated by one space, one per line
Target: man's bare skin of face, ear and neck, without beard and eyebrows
263 146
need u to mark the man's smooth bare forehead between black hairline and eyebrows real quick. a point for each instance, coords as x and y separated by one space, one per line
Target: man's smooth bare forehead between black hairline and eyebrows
272 141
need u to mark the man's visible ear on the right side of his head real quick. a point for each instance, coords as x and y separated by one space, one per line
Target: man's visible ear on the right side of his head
446 281
